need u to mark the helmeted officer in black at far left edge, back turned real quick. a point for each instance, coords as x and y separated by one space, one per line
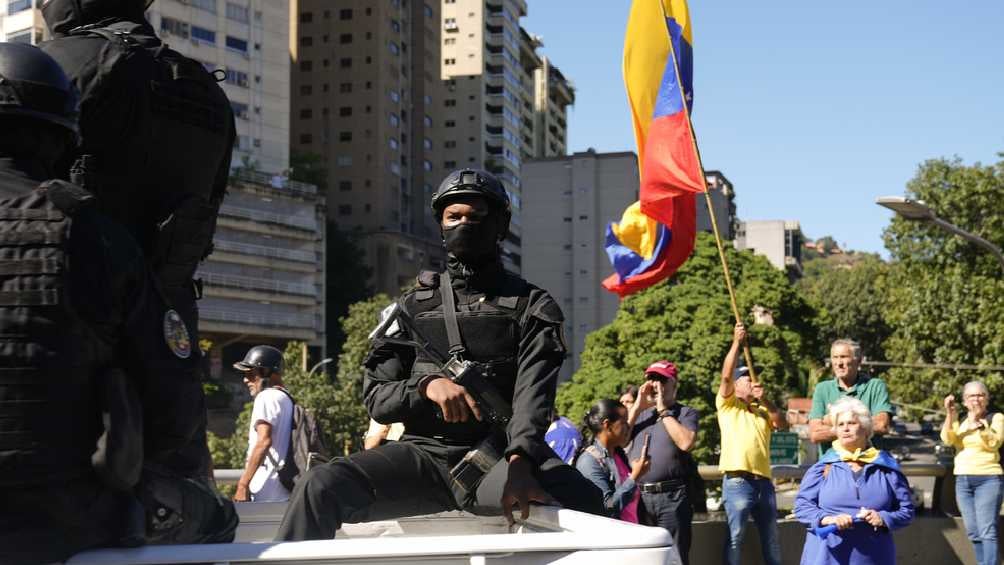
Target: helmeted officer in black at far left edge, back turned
78 348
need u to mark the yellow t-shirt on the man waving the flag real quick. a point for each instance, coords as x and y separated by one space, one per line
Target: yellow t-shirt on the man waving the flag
745 437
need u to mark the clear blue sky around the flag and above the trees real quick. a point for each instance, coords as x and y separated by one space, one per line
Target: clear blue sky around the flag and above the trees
812 109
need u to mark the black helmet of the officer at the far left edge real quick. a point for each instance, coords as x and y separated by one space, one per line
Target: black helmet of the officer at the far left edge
33 85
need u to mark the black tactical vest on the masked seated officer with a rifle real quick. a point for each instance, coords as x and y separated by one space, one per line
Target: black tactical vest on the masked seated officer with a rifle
491 336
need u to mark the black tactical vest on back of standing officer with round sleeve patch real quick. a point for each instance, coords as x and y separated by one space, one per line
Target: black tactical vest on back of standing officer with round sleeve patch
155 123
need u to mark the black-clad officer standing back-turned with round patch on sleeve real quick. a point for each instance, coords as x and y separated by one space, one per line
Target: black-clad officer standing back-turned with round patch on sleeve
157 134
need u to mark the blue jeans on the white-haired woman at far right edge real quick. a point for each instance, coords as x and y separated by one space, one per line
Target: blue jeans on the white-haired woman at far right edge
979 498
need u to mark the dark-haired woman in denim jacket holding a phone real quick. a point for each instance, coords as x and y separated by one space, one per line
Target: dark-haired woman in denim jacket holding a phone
606 464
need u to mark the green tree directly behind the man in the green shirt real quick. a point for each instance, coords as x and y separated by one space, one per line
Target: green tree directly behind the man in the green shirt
851 299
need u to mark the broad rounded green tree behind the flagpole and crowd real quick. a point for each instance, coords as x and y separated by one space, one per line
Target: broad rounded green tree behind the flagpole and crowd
688 321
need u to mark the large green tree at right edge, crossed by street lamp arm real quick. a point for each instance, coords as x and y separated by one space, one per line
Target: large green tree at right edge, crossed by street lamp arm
944 294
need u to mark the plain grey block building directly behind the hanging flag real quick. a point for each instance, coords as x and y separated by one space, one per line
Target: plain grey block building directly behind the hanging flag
569 203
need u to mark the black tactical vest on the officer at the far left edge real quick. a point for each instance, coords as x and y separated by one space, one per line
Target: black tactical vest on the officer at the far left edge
49 358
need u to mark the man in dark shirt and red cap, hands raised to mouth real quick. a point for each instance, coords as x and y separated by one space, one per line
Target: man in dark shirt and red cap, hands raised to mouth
670 429
